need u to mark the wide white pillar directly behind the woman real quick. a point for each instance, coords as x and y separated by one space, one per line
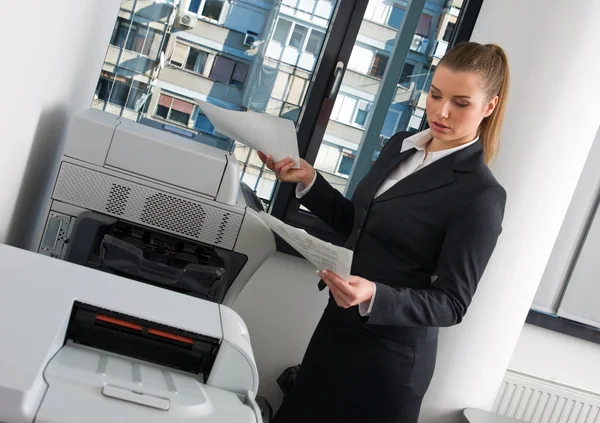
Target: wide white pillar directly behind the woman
552 117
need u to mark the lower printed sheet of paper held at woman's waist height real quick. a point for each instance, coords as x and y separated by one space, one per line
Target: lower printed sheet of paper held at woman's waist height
323 255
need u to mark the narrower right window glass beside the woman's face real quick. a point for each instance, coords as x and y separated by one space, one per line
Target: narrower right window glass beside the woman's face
362 80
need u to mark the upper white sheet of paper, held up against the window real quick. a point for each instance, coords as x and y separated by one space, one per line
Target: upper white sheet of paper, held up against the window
260 131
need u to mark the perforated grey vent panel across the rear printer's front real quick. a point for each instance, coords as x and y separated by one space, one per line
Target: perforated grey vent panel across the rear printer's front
145 205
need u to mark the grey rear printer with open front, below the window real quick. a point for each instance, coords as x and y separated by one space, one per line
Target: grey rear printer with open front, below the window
141 203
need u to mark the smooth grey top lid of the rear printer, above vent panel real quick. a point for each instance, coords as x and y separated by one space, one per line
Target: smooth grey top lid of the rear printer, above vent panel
99 138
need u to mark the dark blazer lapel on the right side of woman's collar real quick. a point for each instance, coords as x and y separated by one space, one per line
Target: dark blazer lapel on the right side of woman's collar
437 174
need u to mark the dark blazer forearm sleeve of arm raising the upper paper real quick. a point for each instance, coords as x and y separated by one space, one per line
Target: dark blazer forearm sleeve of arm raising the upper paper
329 205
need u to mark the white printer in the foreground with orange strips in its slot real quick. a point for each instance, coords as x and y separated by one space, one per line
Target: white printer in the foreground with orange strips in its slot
80 345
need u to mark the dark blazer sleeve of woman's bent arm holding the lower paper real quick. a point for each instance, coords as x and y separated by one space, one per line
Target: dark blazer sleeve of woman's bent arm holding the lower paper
466 250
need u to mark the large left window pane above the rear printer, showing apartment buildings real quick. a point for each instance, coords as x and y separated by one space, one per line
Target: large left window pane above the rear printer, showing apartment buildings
251 60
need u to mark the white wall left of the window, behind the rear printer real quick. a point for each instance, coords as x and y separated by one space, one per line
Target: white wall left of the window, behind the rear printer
53 54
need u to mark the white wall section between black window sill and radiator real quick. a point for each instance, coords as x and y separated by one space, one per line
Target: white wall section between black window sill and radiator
557 357
